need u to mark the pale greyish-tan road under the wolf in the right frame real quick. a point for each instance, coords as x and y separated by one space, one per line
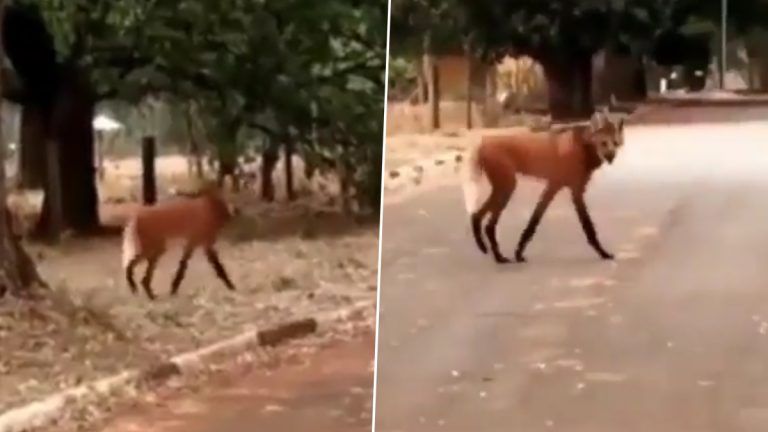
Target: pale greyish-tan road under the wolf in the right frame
673 336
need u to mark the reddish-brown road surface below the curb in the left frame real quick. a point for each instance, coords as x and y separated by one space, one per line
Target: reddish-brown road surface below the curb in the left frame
312 384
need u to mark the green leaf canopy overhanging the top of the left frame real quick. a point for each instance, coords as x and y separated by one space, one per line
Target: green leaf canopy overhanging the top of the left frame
281 67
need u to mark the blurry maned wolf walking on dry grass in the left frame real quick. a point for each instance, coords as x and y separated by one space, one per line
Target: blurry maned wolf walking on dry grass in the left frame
197 221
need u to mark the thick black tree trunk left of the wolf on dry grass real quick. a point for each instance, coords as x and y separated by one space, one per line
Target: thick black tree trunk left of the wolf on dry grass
72 129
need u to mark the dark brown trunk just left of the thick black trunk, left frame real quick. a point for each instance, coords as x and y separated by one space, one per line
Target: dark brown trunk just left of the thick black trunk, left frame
32 148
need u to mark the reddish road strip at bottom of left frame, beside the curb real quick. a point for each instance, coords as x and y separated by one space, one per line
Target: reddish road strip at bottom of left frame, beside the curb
332 393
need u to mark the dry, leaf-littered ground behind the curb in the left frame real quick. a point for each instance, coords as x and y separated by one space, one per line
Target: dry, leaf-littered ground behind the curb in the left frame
287 260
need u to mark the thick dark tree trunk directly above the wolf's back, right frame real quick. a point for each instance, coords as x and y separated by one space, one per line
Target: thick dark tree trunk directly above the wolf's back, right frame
570 87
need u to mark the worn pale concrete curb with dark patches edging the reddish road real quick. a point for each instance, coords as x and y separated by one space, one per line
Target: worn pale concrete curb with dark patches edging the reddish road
45 411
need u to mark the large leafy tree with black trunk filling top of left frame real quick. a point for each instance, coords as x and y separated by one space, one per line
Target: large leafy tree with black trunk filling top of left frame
242 59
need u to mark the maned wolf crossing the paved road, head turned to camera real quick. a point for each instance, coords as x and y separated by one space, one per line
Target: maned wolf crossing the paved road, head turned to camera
563 159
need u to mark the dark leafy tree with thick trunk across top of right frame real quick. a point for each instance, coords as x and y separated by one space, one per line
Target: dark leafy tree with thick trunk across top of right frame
564 35
